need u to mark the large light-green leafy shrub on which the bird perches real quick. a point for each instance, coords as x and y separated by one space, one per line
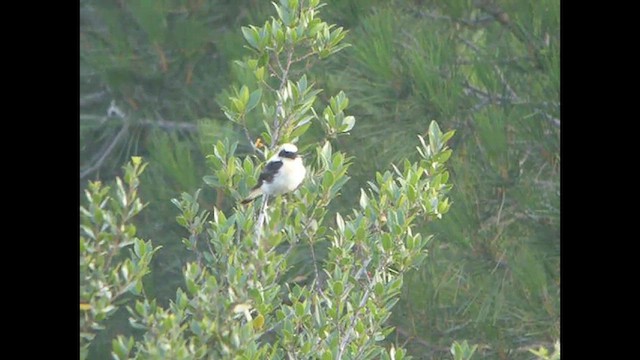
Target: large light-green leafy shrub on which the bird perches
240 299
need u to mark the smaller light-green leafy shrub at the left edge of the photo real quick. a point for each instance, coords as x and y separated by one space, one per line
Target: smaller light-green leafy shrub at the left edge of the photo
106 274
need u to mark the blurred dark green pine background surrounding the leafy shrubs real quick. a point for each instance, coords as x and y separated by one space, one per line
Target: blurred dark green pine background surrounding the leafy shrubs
154 74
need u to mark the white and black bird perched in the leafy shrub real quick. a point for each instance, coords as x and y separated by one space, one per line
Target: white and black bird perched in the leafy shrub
283 173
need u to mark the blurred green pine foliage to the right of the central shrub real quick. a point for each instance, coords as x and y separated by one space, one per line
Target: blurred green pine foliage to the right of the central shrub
491 71
